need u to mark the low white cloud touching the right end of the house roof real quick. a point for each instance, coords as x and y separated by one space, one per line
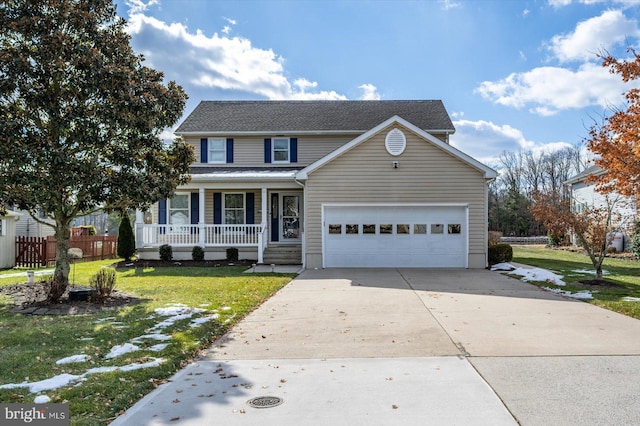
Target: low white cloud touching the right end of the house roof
485 141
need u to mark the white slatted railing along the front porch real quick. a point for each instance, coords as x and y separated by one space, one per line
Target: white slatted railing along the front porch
214 235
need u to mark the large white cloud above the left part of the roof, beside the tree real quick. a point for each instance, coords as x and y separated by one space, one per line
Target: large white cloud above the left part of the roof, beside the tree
217 62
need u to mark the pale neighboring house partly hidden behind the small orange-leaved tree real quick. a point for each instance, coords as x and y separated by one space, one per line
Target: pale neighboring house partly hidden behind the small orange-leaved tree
584 194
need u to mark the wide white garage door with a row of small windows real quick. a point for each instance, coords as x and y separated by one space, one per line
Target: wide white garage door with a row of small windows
422 236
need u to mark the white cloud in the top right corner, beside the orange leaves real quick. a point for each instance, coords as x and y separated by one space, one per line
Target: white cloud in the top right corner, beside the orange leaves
594 35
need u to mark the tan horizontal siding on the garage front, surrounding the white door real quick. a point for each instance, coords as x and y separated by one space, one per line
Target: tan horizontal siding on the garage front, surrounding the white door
426 174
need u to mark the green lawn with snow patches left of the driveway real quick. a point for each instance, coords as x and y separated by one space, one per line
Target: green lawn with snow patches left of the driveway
31 345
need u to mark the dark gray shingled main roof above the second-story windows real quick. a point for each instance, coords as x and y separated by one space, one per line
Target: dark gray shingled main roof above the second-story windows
312 116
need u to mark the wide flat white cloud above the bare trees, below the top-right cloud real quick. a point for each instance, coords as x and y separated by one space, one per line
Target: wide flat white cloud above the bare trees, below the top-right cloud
548 90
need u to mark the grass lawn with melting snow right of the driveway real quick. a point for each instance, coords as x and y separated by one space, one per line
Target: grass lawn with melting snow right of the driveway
575 267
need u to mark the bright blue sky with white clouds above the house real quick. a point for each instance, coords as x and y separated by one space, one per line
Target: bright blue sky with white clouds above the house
512 74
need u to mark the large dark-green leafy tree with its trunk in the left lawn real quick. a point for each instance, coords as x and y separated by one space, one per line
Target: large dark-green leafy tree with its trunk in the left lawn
81 118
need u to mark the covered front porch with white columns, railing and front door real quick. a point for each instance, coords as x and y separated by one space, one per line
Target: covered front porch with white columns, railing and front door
276 239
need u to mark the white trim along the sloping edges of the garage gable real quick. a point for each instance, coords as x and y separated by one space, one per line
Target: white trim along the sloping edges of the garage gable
488 172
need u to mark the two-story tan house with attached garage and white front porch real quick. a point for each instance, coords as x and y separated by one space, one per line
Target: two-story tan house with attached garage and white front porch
325 184
